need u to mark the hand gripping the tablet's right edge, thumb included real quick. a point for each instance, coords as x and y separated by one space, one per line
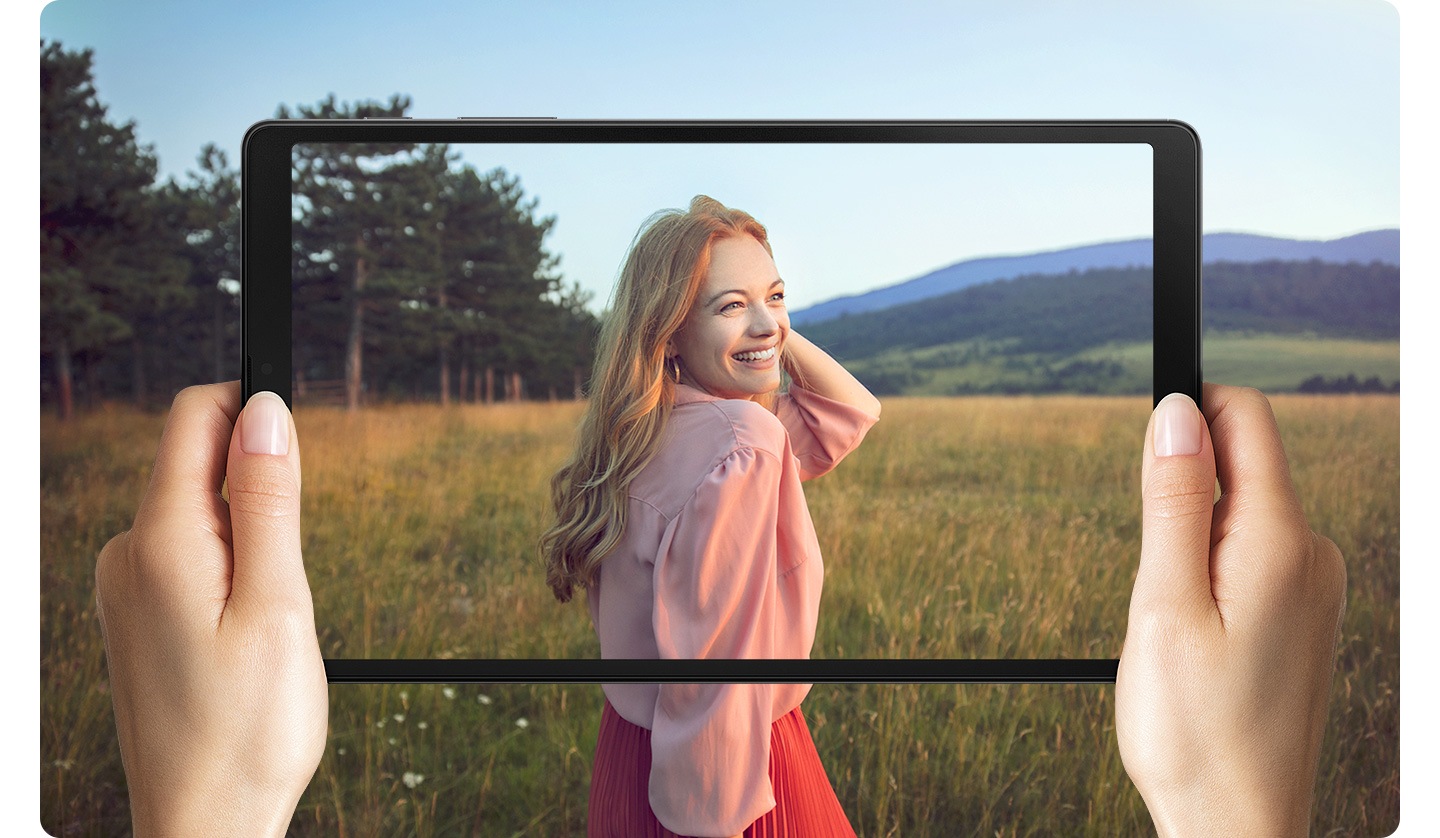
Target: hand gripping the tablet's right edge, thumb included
1229 656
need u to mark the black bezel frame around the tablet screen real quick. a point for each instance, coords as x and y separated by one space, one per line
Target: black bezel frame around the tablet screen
266 338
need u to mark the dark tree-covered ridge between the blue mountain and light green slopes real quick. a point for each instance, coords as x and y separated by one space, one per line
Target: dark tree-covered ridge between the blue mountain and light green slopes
1069 313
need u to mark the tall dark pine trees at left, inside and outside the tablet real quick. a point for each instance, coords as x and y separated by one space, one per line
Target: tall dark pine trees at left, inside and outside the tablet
414 277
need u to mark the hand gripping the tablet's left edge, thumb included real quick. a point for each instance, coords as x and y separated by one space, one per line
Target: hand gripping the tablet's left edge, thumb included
215 667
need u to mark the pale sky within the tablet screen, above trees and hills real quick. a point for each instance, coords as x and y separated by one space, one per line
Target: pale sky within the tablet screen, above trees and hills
843 220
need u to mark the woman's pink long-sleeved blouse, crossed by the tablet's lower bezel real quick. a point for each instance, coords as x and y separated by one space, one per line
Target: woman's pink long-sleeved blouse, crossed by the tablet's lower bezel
719 561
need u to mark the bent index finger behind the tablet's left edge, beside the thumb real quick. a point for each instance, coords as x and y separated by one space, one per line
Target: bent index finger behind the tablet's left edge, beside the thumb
191 463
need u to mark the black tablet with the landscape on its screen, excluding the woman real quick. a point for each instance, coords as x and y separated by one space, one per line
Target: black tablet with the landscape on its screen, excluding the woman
427 297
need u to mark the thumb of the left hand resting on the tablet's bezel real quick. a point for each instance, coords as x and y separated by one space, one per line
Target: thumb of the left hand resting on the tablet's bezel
264 492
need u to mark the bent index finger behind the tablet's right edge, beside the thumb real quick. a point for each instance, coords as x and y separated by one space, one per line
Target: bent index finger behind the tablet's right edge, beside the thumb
1251 459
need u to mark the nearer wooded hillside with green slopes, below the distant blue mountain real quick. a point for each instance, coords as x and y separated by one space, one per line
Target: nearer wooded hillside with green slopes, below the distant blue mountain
1091 332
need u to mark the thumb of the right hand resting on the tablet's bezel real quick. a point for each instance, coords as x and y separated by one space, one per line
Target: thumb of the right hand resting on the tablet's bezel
1179 490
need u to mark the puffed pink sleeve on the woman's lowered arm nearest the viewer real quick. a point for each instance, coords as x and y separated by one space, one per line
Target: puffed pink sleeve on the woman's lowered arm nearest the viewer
716 580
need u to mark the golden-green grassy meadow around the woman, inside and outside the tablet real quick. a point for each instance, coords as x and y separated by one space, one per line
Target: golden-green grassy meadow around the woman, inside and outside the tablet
964 528
